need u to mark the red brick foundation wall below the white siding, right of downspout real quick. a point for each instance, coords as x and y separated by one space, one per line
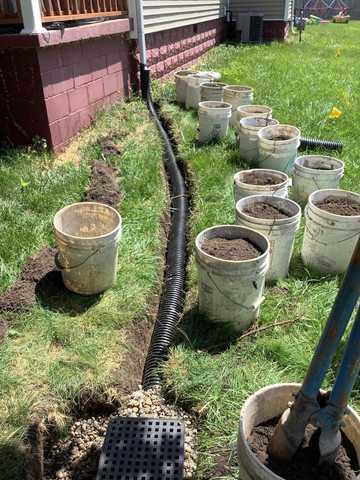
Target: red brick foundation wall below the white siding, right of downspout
169 50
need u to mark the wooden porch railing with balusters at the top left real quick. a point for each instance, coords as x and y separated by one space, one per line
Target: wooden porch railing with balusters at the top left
64 10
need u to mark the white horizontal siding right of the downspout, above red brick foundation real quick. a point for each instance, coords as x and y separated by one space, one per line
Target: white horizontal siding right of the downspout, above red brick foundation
166 14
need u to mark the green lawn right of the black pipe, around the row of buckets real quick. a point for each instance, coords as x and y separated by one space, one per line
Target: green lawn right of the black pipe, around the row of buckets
302 82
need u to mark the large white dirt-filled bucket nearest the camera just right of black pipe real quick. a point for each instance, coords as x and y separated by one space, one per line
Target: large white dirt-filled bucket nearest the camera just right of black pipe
231 292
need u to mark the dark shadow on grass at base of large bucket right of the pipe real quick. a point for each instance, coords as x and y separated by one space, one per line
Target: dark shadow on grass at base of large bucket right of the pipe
198 333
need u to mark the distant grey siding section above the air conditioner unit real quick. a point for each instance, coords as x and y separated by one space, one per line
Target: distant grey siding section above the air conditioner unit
271 9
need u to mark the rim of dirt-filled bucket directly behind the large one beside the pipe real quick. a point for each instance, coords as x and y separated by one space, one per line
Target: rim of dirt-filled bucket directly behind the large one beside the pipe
296 217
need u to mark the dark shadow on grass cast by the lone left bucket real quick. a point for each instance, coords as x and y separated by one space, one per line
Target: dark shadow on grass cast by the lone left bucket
53 295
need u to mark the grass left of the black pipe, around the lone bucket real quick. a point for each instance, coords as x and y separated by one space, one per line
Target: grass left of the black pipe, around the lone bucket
51 355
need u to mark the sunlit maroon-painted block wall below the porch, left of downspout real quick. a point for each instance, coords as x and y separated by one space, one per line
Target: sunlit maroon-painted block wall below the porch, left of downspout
78 79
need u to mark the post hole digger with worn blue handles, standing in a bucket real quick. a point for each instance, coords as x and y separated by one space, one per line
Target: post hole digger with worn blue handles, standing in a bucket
290 430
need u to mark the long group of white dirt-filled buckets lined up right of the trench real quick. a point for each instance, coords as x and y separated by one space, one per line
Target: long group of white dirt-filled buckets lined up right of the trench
232 291
